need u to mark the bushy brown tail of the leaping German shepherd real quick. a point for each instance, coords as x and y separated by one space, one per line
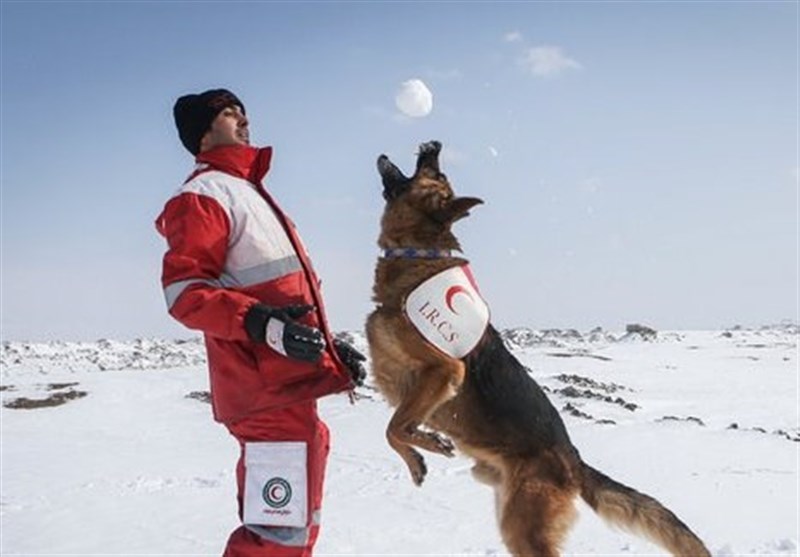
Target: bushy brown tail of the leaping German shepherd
626 508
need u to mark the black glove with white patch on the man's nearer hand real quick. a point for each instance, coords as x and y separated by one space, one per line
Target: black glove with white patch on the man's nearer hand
279 330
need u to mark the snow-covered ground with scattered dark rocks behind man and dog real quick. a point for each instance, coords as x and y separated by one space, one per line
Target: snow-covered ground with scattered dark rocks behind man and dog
108 448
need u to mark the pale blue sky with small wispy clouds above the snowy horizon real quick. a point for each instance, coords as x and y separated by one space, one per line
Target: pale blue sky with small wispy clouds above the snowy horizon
646 171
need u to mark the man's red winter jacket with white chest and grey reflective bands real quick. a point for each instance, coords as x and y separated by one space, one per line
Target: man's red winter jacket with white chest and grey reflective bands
230 246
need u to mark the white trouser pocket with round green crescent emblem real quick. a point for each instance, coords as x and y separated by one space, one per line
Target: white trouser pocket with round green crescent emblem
276 484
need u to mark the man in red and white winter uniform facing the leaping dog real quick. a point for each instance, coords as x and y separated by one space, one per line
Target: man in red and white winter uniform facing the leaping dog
236 269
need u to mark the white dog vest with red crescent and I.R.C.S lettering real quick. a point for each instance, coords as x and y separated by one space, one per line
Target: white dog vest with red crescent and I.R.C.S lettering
448 311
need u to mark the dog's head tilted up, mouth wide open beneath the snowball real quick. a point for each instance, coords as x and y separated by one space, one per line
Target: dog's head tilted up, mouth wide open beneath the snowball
420 210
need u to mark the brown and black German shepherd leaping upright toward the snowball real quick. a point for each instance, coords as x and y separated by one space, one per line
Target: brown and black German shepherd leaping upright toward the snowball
485 404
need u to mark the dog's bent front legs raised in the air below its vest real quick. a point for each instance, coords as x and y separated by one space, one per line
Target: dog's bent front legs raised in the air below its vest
434 386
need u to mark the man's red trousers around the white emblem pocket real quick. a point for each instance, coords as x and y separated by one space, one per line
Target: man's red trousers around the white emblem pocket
298 422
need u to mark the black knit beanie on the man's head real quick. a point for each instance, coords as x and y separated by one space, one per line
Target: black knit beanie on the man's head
194 114
